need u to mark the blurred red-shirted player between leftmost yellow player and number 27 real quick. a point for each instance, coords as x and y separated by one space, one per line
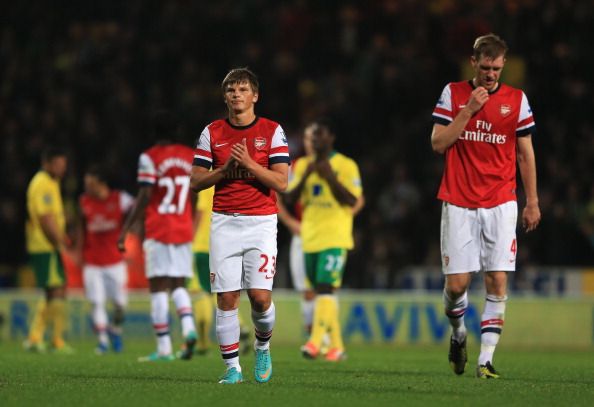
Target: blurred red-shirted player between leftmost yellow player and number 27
103 211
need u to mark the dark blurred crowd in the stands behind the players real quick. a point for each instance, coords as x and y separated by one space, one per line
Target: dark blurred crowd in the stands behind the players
87 75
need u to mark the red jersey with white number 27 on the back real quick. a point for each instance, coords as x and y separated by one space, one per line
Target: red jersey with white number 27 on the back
168 216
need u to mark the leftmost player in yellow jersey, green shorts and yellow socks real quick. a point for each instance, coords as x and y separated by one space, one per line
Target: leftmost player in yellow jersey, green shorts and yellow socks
46 244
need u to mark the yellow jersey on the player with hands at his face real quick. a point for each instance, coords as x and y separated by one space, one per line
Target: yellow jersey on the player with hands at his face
325 222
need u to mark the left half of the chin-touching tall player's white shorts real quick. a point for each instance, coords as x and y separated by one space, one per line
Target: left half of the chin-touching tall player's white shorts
460 239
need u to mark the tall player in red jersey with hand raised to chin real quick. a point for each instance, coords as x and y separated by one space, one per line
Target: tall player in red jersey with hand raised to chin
483 127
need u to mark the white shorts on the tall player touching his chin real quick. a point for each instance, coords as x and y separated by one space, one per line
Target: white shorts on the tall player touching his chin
482 239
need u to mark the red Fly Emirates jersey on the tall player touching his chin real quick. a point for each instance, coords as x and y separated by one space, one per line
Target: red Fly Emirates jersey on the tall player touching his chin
480 167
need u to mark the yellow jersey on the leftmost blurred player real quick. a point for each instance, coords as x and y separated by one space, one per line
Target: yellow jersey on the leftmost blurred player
43 197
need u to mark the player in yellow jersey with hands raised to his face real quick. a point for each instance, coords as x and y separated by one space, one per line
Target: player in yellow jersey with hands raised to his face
328 185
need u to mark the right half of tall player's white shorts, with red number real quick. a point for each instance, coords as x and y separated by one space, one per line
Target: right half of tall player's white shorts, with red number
498 243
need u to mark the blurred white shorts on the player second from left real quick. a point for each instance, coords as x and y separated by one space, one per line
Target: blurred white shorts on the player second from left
104 283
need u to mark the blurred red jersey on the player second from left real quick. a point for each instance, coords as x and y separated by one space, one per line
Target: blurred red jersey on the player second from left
103 222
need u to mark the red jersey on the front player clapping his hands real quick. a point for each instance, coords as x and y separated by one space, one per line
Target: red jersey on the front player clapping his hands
240 192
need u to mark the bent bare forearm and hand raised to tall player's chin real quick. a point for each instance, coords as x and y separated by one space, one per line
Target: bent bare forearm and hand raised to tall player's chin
442 137
